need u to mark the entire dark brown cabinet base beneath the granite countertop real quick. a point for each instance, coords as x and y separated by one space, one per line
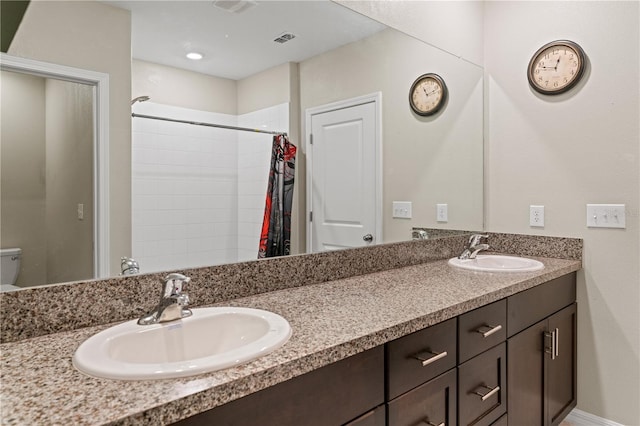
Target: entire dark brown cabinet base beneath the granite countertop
512 362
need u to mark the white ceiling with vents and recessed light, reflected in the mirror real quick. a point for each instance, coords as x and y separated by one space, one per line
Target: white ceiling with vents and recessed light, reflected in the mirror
237 45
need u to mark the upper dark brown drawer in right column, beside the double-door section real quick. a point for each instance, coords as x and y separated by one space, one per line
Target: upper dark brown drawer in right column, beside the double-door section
481 329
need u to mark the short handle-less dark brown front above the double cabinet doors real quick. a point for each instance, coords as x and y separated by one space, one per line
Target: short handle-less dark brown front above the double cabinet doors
530 306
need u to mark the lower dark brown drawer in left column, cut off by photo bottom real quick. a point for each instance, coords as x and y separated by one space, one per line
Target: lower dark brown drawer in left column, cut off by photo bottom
431 403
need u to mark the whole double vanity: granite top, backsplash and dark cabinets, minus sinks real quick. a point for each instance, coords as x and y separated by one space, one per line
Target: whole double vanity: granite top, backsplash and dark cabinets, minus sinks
357 350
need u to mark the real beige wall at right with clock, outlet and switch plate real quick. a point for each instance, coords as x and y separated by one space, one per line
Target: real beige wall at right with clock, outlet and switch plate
564 152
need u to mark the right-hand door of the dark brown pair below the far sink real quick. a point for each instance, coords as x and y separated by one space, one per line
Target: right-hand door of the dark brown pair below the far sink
561 367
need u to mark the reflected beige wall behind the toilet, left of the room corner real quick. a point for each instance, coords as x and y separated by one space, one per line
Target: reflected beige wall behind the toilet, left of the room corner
22 216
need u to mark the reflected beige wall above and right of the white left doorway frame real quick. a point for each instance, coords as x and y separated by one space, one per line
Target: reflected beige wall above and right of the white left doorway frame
96 37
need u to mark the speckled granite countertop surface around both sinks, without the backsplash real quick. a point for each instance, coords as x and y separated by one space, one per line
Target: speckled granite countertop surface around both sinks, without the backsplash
330 321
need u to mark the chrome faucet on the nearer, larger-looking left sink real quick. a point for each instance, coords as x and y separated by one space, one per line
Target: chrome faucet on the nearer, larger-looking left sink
173 301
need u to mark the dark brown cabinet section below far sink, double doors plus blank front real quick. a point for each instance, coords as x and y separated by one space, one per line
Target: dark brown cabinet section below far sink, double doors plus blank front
541 376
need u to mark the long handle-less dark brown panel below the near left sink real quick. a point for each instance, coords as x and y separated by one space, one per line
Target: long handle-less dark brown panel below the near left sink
331 395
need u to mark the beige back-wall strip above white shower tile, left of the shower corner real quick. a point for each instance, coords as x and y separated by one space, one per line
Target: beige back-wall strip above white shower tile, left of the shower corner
182 88
